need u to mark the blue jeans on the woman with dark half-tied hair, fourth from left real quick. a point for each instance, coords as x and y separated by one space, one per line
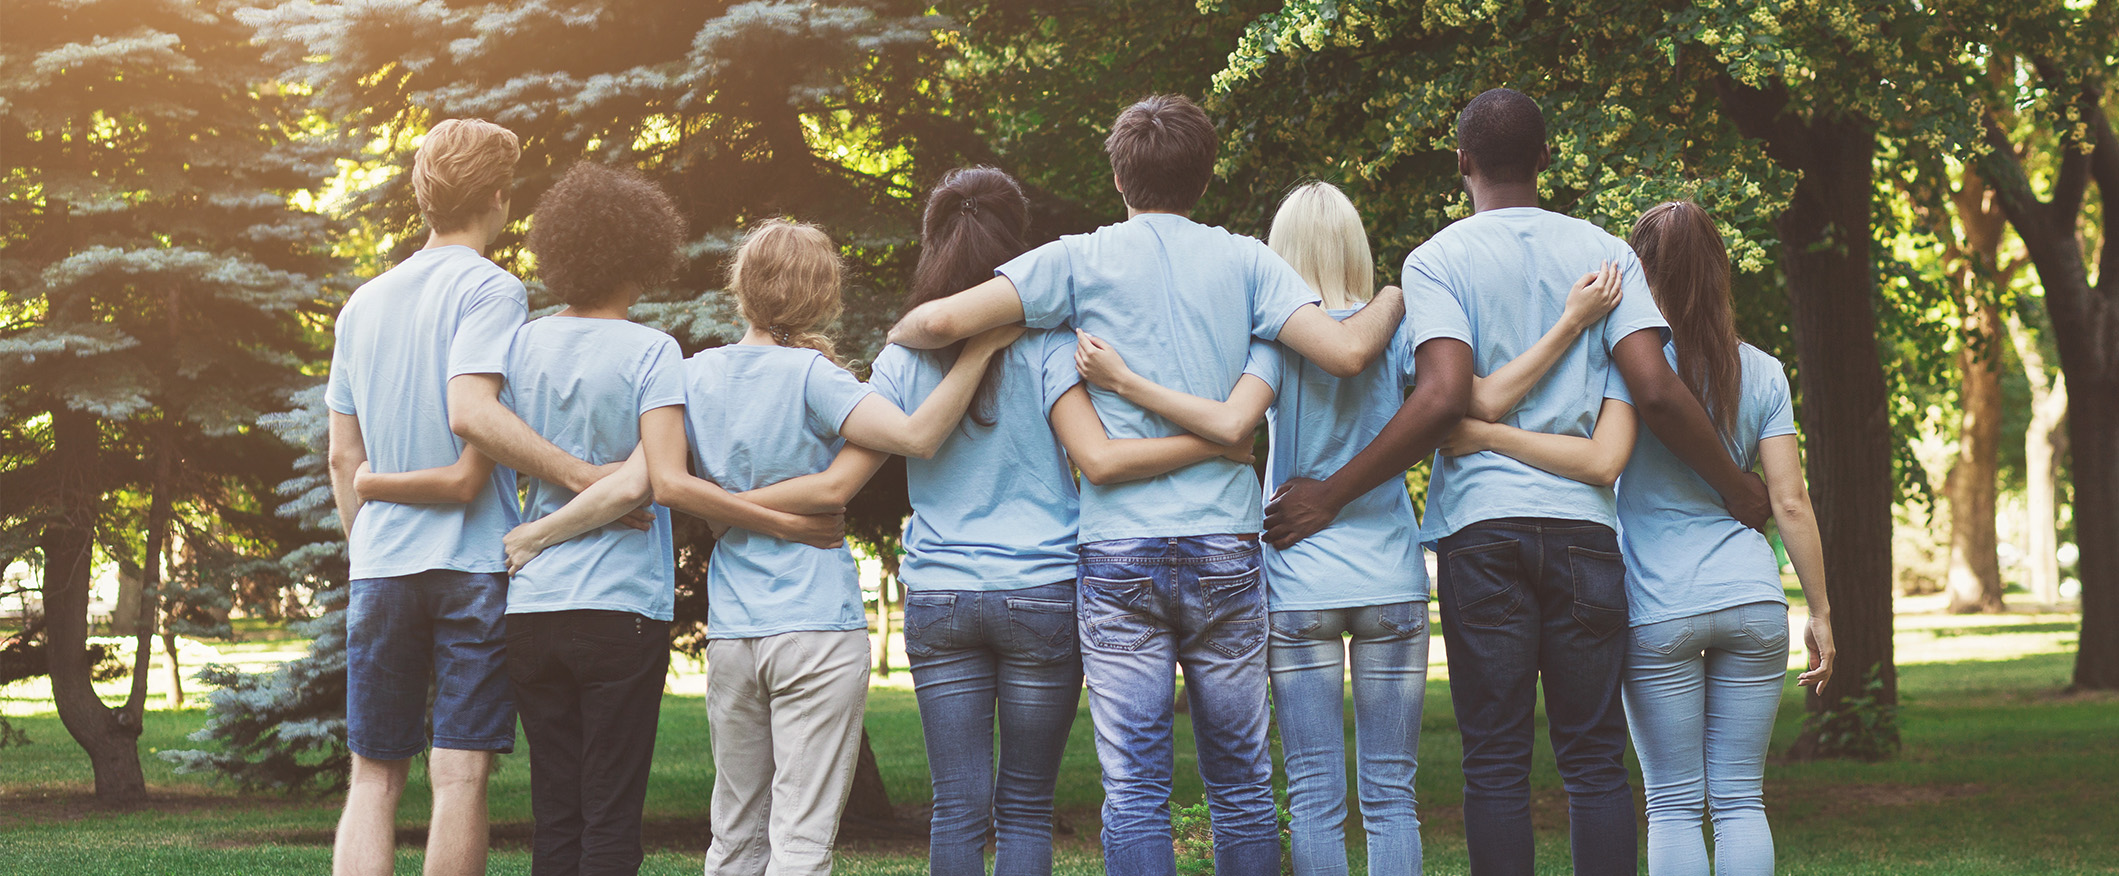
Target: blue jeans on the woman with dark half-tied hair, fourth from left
978 654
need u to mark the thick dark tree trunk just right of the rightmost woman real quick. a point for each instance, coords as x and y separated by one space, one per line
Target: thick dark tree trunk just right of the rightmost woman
1826 241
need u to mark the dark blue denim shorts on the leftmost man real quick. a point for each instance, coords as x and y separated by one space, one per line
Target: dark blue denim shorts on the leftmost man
406 631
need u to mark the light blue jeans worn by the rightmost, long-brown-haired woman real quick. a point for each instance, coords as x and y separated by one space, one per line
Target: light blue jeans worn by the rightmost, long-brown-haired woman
1700 699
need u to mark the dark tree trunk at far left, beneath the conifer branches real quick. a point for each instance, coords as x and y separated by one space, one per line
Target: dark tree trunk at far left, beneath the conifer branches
109 737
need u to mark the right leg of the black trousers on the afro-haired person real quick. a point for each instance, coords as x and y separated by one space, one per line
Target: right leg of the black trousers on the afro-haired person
622 663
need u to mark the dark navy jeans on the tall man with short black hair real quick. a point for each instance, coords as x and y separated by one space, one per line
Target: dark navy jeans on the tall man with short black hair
1529 599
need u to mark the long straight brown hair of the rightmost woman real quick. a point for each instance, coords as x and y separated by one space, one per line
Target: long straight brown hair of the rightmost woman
1688 270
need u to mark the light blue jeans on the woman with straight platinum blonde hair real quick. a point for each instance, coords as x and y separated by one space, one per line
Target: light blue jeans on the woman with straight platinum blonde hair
1306 656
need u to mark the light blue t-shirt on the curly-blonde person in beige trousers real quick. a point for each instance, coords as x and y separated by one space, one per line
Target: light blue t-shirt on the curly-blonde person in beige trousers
758 417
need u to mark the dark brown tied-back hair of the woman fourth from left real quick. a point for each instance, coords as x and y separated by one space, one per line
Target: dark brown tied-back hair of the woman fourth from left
976 222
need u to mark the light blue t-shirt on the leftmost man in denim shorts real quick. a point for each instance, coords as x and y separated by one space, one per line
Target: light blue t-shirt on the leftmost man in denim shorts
399 340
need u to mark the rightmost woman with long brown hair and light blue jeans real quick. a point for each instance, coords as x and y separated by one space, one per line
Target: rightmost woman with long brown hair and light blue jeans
1705 601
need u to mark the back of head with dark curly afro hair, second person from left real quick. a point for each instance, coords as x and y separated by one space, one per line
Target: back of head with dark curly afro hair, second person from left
605 230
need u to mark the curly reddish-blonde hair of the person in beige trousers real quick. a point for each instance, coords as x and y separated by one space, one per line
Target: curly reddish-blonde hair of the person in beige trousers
787 281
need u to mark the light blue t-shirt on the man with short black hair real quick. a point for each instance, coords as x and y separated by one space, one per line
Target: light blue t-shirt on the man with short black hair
1510 273
